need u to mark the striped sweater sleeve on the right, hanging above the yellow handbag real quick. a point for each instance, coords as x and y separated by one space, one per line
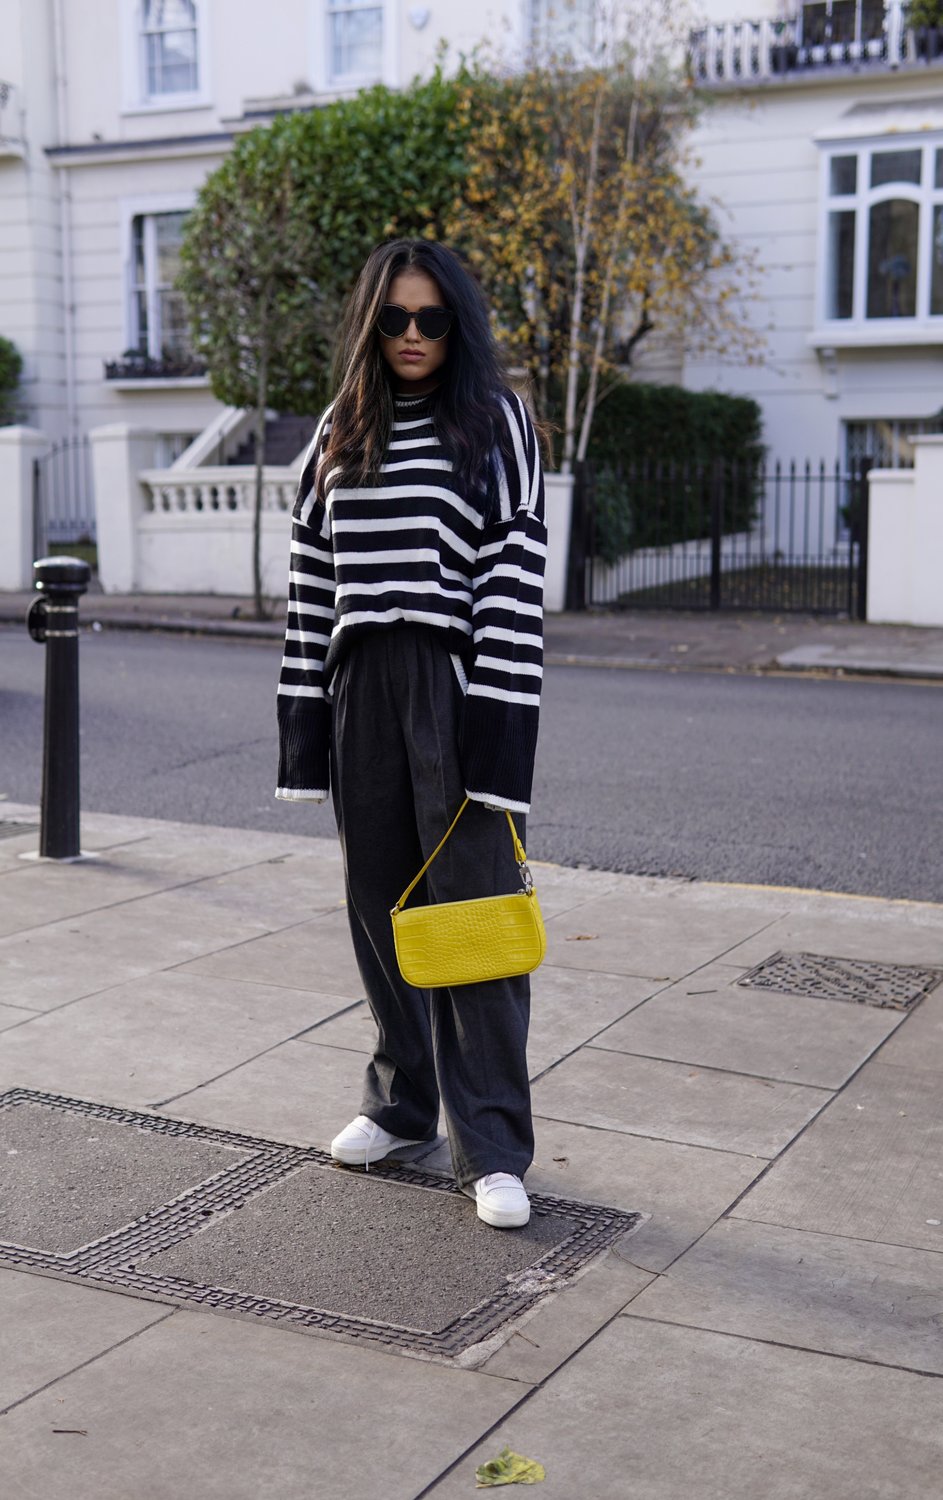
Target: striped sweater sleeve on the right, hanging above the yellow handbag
503 701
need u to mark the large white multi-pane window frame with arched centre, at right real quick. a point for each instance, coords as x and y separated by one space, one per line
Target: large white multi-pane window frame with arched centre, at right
924 328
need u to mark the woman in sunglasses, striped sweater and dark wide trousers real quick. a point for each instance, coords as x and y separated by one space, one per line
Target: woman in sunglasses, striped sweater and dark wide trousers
412 680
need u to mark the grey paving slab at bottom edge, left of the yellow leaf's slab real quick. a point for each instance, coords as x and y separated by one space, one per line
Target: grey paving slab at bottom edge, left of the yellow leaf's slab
227 1411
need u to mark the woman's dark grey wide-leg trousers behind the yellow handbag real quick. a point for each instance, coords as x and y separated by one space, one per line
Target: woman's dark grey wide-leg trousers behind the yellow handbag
398 784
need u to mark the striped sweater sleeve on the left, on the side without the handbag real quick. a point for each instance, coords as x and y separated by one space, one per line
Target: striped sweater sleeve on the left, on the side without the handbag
304 712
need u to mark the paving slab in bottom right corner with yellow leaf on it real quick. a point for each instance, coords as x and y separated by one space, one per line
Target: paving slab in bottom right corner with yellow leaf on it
668 1414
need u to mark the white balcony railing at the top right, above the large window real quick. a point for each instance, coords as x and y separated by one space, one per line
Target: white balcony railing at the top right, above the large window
743 52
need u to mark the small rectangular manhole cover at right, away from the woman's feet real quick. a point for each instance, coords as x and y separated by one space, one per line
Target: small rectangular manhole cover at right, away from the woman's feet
896 986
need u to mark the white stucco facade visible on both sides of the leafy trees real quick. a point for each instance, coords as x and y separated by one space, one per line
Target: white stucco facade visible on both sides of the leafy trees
92 158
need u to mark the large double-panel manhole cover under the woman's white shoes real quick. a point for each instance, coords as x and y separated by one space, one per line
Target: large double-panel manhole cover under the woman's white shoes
277 1232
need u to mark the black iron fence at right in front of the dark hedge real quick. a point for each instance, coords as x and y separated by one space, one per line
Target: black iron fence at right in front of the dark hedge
672 536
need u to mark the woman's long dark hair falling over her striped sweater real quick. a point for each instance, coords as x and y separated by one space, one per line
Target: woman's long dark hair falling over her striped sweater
467 407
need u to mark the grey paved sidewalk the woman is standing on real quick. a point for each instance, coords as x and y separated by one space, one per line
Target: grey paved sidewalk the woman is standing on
771 1330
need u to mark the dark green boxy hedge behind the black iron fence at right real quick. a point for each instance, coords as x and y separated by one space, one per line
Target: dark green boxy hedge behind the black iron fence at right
656 452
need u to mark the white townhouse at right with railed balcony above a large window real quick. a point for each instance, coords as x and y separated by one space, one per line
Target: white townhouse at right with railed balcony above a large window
824 145
